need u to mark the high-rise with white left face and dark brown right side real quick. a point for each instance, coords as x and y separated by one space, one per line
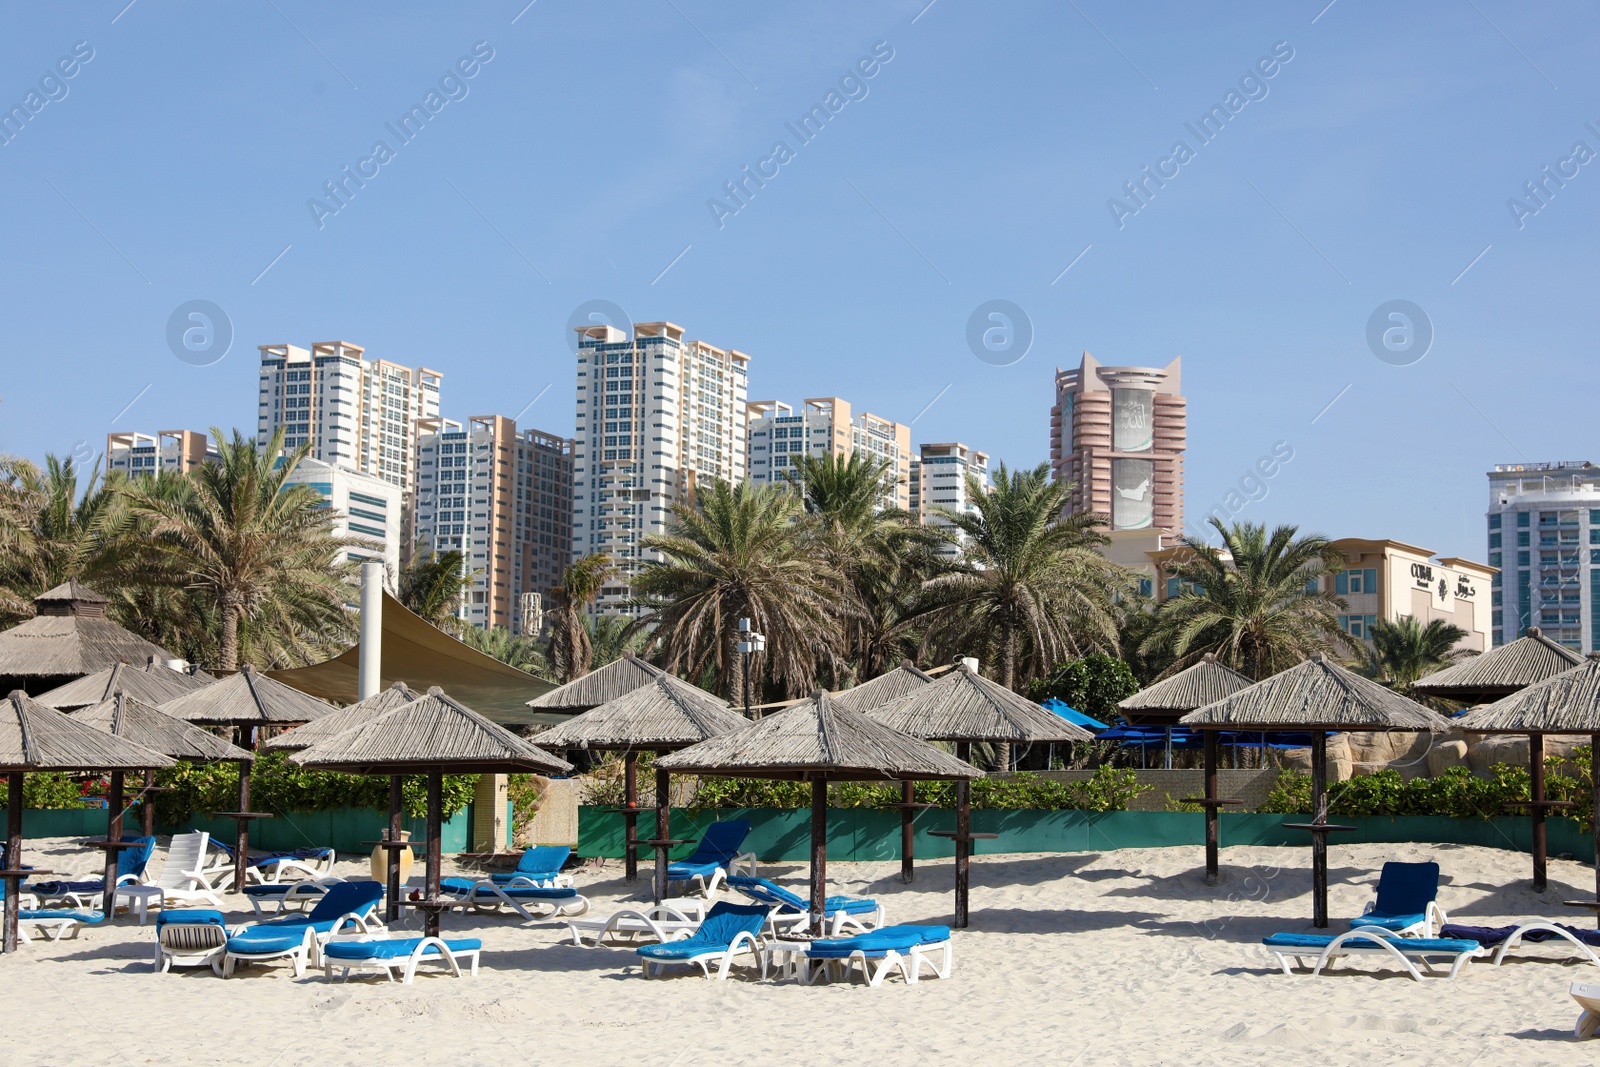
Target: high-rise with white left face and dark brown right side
503 500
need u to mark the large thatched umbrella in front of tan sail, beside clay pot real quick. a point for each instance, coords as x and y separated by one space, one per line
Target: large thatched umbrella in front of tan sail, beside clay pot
431 737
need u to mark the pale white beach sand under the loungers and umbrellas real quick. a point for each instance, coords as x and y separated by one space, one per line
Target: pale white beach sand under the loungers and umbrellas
1086 957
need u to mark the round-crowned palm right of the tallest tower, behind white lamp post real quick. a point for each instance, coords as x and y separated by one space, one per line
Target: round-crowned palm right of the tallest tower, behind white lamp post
734 553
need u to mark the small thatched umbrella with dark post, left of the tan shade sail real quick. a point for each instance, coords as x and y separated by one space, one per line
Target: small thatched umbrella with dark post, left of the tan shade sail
249 701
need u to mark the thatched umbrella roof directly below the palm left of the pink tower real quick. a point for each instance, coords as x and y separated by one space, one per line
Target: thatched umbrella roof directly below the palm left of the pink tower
966 706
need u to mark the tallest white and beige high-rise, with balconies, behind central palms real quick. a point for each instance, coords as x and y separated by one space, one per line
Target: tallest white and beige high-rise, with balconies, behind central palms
657 415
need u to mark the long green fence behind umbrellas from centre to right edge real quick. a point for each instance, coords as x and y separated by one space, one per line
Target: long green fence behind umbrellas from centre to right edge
868 834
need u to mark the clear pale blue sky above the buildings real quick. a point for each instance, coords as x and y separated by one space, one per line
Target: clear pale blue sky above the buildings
977 164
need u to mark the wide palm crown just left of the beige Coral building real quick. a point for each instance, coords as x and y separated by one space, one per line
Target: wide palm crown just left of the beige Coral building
1254 604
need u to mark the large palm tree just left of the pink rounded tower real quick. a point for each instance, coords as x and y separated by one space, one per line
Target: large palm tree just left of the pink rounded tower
1033 589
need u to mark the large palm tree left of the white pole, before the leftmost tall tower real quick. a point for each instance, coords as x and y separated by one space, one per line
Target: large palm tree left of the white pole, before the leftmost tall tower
258 553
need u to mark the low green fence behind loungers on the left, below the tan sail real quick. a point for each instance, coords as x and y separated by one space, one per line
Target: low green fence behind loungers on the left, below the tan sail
346 829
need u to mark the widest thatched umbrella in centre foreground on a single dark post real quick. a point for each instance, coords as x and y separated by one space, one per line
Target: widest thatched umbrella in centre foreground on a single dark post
820 743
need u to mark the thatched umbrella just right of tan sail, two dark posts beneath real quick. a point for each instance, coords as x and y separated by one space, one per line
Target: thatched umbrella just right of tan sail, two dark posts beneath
662 716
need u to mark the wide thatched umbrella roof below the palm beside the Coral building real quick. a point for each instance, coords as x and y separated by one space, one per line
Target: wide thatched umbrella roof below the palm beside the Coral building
1316 695
